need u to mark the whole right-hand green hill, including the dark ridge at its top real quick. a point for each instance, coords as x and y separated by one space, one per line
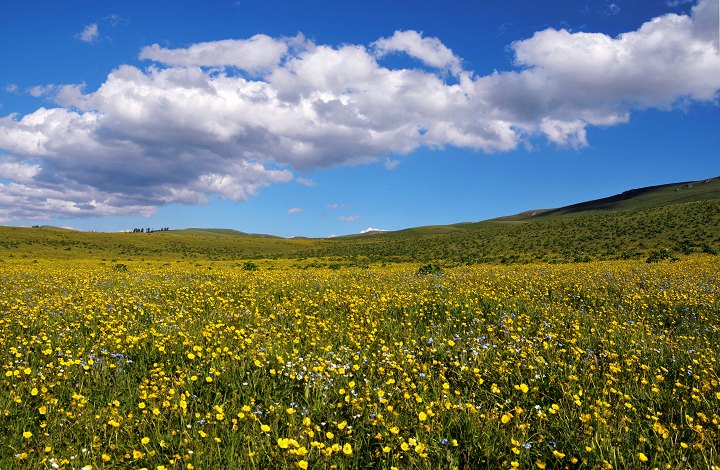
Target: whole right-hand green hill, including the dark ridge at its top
681 216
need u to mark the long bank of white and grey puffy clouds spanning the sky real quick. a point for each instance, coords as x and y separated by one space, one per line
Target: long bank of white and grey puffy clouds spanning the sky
227 118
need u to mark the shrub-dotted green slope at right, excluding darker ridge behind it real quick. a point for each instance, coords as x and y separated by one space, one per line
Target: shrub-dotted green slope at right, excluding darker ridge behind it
684 228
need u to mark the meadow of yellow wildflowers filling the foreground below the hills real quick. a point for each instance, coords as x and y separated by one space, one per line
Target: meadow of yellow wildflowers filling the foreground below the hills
177 366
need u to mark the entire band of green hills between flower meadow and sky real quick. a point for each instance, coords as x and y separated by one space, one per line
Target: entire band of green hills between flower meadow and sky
680 217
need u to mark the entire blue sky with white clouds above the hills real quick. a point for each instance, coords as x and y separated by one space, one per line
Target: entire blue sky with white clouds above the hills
325 118
